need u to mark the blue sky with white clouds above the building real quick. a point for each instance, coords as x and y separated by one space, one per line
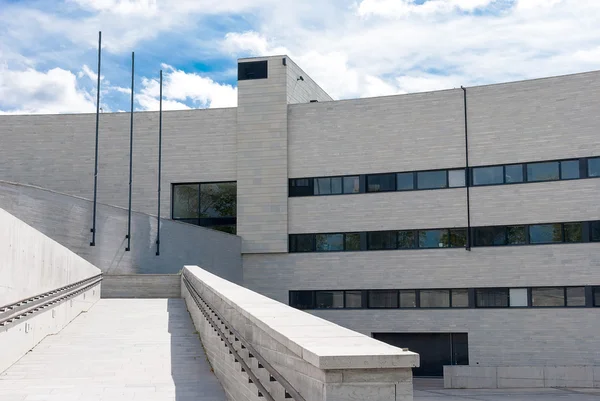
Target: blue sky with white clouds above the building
353 48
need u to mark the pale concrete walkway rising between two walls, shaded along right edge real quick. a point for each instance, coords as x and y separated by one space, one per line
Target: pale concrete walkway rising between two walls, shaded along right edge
122 349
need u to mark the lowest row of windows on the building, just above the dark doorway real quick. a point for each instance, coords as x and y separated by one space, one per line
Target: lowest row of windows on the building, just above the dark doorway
532 297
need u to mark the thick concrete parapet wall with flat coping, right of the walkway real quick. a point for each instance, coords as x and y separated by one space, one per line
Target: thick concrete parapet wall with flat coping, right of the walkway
321 360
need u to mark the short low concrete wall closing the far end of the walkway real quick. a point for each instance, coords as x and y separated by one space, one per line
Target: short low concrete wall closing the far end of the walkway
141 286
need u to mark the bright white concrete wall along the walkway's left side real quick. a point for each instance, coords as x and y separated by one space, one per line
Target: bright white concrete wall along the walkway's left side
31 264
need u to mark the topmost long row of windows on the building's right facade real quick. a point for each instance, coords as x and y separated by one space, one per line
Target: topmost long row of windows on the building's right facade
453 178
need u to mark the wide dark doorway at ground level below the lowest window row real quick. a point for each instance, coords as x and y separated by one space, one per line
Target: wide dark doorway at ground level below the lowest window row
435 349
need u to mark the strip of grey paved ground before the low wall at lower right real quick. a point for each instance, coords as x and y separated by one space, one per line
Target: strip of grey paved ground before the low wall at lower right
432 390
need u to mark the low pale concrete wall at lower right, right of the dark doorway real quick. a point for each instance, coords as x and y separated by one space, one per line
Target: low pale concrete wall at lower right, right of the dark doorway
521 376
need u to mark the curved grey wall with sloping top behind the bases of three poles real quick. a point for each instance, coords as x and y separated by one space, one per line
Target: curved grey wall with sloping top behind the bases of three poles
68 220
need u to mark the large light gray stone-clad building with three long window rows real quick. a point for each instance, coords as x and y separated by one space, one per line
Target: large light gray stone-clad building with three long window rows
463 224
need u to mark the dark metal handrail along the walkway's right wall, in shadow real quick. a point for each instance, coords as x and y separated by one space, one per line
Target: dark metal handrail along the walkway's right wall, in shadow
290 391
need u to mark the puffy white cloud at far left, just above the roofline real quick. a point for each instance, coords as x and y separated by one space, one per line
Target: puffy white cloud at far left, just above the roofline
33 92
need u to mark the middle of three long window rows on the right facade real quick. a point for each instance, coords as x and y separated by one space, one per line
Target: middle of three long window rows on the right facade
532 234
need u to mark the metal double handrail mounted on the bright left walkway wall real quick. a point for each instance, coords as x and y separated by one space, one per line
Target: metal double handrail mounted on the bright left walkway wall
16 310
